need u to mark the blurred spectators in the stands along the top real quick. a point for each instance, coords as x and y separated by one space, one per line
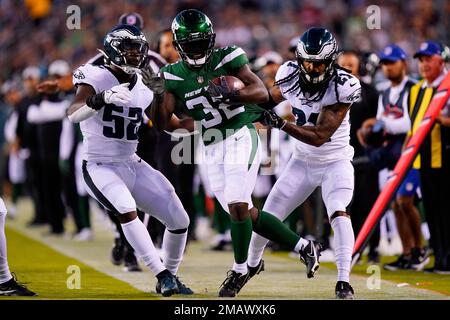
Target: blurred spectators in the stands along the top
34 32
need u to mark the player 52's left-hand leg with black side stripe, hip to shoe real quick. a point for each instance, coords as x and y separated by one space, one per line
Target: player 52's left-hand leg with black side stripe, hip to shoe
105 182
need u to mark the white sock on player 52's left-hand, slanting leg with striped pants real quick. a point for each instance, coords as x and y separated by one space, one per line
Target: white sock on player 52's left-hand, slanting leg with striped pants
138 237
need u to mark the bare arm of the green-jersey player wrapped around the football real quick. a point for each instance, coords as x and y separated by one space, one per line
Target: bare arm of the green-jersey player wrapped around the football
254 91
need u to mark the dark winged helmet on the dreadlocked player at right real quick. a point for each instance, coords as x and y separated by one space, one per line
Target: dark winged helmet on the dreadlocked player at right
316 45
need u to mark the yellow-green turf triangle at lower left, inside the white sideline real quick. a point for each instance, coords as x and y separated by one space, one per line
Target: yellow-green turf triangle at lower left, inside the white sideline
44 271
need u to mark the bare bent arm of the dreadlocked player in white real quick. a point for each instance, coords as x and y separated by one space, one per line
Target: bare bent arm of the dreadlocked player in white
330 118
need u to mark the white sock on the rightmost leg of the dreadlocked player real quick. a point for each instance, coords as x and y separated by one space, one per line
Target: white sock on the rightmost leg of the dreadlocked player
344 240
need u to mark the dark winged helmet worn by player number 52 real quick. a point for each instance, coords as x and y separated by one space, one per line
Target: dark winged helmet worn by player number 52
125 46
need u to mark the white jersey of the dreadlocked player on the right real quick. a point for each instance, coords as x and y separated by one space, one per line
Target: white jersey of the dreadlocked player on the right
344 88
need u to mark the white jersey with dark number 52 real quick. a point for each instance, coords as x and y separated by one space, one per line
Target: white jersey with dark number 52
111 134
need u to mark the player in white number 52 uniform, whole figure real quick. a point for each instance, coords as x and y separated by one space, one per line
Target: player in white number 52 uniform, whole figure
109 104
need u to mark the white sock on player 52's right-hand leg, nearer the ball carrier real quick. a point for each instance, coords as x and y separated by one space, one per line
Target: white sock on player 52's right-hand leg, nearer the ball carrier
172 250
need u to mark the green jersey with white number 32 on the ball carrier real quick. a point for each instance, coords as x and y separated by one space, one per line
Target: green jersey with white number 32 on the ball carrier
189 85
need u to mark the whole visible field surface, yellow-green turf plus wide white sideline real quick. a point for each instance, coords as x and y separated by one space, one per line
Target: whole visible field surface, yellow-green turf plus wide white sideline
42 262
